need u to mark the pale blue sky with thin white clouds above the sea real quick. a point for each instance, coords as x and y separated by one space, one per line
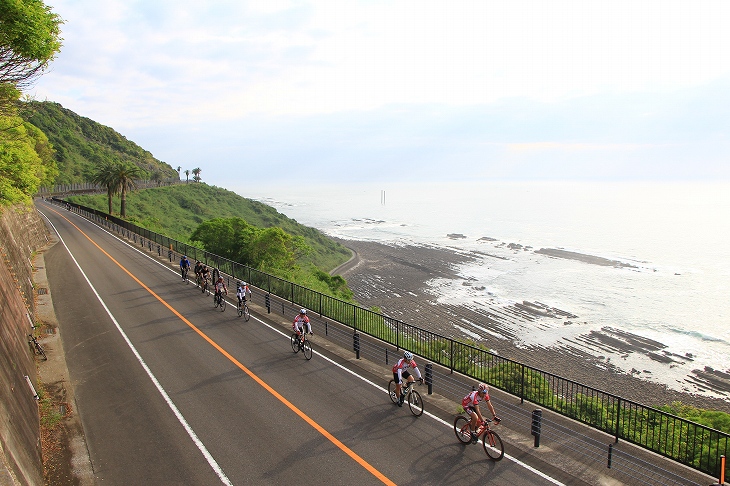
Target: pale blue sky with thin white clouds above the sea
282 91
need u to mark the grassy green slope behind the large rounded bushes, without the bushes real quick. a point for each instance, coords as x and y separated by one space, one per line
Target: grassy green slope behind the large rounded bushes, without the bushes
177 210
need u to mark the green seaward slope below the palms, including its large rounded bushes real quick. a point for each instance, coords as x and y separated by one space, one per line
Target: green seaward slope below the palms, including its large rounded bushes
237 228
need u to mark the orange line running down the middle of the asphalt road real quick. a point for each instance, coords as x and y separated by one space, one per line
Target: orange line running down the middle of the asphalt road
372 470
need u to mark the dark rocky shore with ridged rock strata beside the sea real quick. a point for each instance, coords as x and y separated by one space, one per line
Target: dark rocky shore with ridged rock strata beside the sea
393 278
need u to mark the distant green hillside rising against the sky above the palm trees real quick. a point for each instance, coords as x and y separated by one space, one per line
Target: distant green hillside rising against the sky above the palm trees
82 144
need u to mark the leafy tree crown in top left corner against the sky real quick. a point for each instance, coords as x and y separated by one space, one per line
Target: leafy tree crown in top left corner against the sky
30 37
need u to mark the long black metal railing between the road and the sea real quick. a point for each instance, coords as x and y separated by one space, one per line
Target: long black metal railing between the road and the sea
676 438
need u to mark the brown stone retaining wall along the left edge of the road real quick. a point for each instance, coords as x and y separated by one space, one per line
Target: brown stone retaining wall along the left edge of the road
22 231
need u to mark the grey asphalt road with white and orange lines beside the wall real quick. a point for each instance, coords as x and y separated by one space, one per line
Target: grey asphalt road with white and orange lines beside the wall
171 391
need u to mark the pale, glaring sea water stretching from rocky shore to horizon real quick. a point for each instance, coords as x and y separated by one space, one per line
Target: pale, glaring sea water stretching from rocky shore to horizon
677 235
